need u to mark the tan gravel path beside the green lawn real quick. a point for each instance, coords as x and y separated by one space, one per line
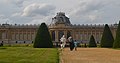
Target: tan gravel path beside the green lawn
90 55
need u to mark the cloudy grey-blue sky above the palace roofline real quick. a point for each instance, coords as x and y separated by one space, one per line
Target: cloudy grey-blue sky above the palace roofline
79 11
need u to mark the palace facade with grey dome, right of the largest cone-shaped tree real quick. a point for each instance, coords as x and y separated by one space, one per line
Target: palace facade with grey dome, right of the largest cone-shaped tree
61 25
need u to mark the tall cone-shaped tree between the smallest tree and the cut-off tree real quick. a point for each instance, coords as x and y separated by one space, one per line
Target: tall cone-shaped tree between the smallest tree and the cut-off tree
107 37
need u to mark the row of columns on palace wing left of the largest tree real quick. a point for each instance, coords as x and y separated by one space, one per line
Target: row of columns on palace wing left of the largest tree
16 35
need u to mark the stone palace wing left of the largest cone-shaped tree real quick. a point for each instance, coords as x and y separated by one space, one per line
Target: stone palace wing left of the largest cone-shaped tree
11 34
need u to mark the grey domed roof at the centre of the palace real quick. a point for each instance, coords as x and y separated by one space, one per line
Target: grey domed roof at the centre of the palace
60 18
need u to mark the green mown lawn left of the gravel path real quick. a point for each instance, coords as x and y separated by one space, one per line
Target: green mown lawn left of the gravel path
28 55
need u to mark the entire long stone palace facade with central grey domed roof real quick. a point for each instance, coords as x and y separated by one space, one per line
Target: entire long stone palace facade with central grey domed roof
60 25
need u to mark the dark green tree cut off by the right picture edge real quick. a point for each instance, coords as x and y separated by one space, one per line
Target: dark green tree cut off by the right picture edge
116 43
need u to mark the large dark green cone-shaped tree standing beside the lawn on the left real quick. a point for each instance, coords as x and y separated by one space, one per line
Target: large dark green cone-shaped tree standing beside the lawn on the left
43 38
